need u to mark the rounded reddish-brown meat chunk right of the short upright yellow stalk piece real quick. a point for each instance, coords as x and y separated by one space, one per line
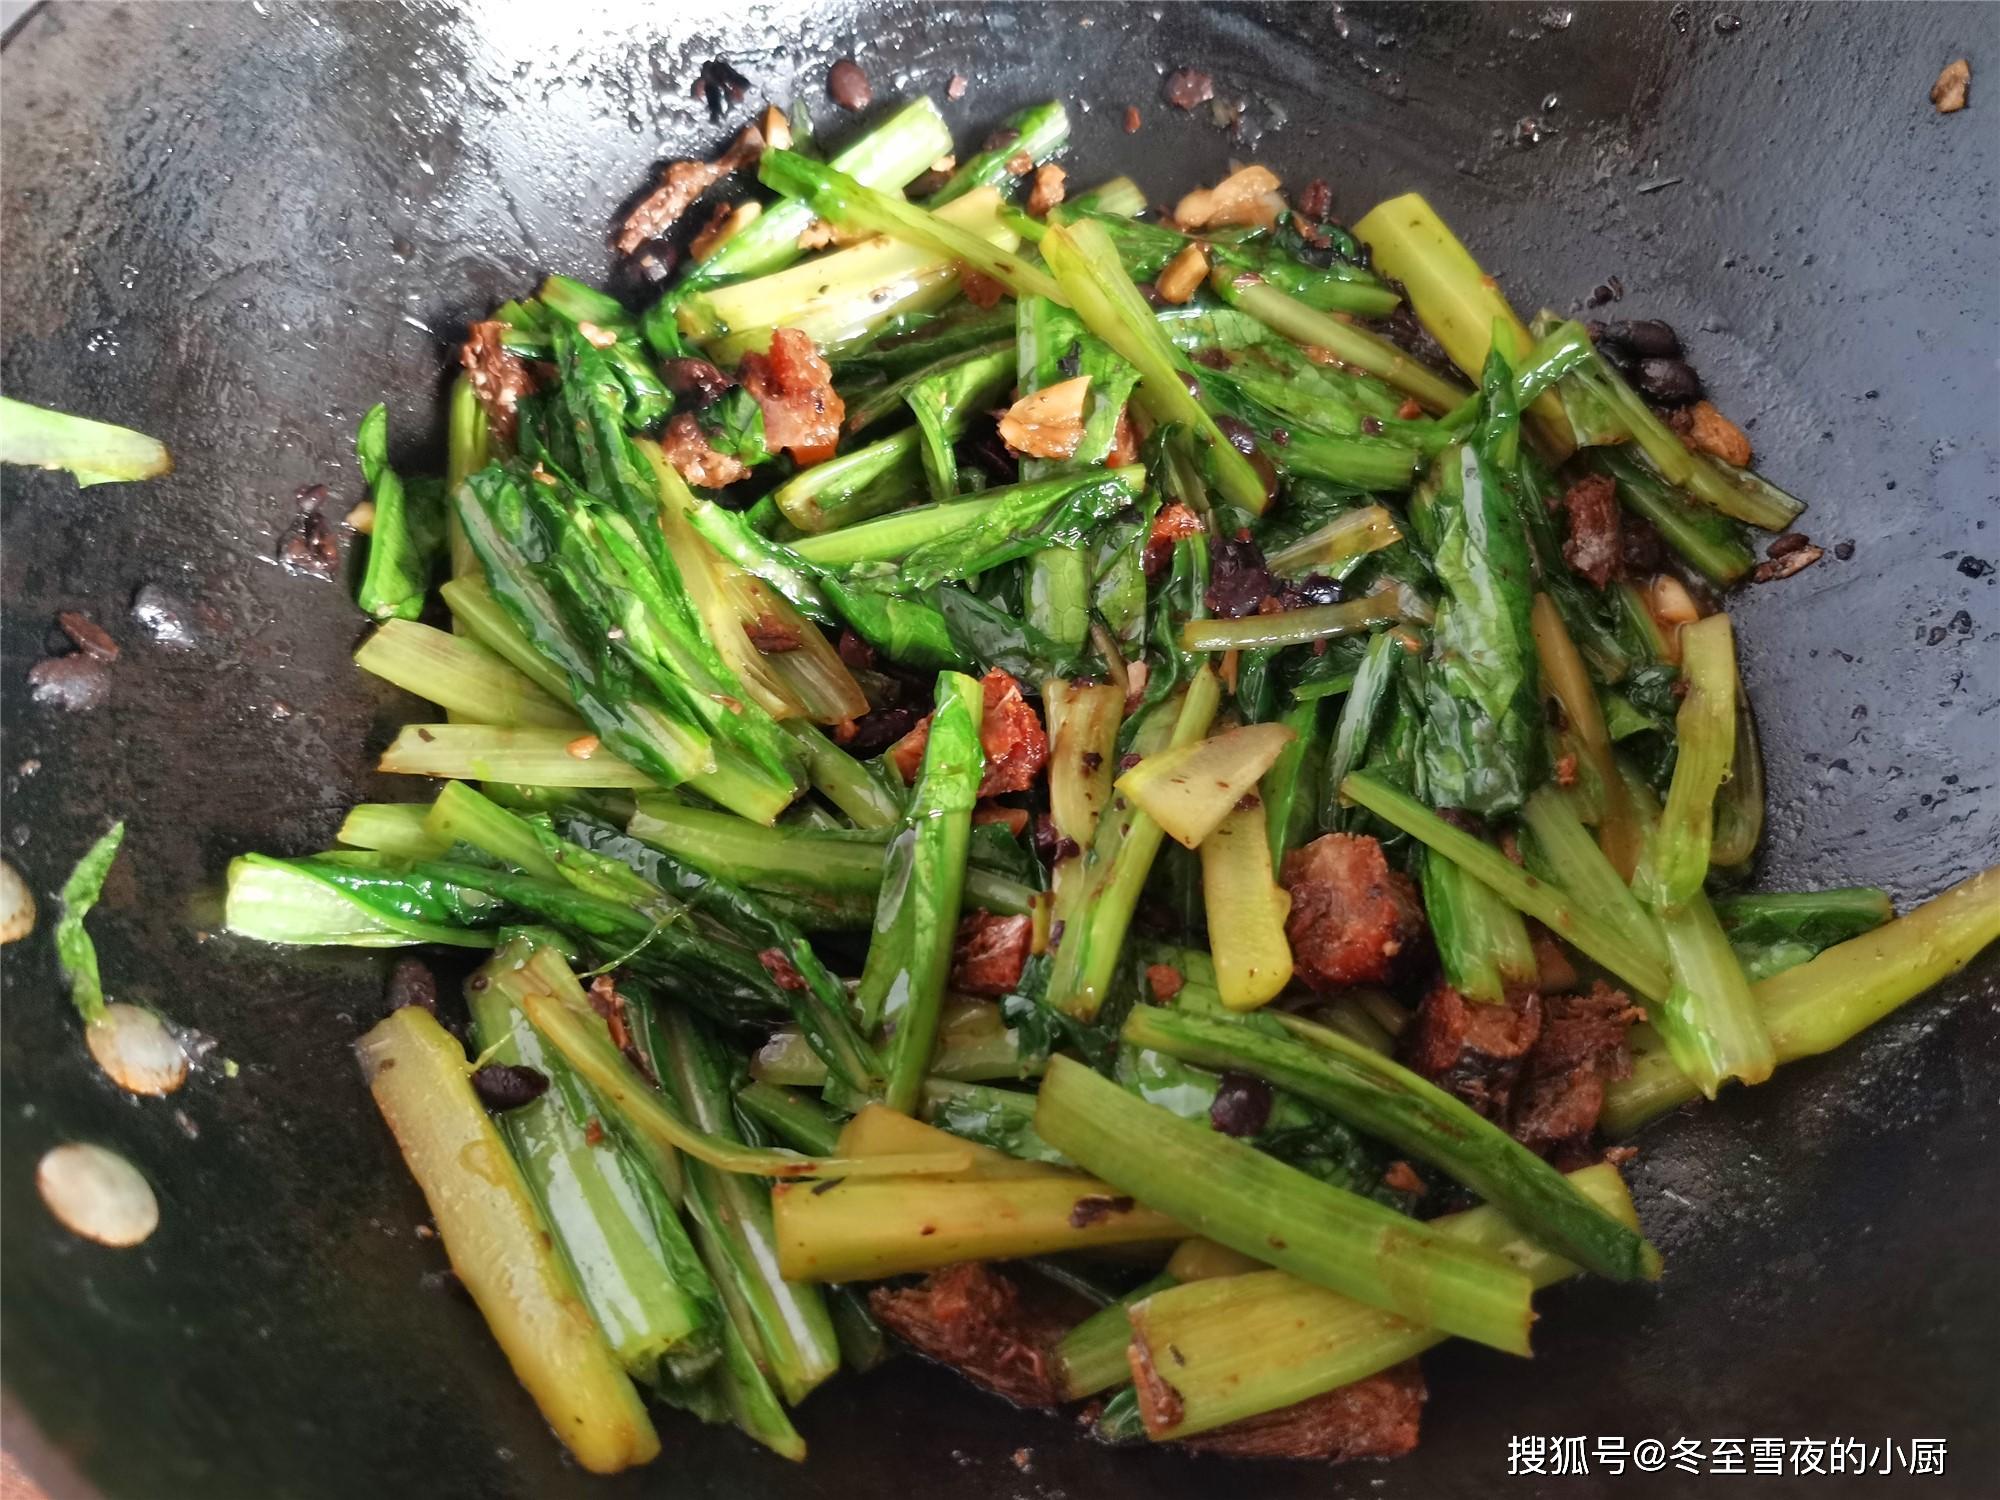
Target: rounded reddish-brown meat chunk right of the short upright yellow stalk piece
1351 913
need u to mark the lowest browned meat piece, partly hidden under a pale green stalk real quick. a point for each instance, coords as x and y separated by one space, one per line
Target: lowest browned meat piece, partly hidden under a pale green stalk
1373 1419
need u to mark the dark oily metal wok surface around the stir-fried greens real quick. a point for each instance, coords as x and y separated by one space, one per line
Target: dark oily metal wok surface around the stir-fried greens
237 227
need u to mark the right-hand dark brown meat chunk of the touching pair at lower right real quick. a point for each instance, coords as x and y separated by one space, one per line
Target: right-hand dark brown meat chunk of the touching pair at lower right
1581 1049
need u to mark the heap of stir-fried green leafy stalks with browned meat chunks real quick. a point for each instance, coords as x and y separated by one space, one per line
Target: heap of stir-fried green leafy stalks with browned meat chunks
1133 801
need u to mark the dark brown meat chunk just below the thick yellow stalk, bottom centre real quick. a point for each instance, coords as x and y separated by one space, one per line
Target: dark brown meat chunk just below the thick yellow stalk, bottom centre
977 1321
